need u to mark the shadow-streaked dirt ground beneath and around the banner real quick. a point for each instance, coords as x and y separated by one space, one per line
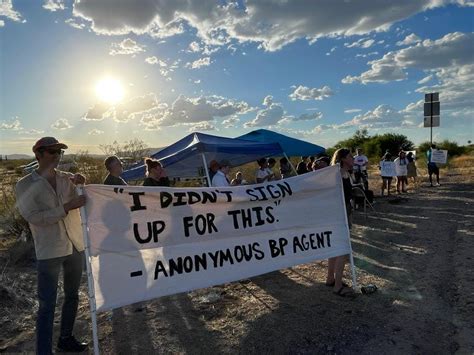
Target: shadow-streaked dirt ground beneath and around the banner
418 249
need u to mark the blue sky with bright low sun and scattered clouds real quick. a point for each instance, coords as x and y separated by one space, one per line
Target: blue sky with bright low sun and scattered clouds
92 72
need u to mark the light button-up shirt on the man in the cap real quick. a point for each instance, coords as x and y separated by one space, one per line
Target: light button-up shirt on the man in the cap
54 231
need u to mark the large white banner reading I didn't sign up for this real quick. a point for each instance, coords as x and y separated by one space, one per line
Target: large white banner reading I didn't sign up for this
147 242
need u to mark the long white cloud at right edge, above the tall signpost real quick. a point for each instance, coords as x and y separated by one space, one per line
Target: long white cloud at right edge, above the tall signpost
452 50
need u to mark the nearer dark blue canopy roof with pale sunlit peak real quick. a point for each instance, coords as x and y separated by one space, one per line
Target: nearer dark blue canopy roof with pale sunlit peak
184 158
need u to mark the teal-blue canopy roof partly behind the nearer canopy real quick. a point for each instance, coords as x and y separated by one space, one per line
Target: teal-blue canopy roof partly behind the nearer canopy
291 146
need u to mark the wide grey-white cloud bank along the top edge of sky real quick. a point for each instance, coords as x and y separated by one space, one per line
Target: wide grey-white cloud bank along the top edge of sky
273 24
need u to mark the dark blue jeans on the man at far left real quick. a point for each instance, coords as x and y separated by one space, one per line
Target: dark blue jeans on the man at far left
48 274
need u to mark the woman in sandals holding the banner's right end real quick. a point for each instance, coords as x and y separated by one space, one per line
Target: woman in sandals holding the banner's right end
344 158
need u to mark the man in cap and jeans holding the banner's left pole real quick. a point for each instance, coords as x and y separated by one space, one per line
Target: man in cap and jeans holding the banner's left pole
48 201
